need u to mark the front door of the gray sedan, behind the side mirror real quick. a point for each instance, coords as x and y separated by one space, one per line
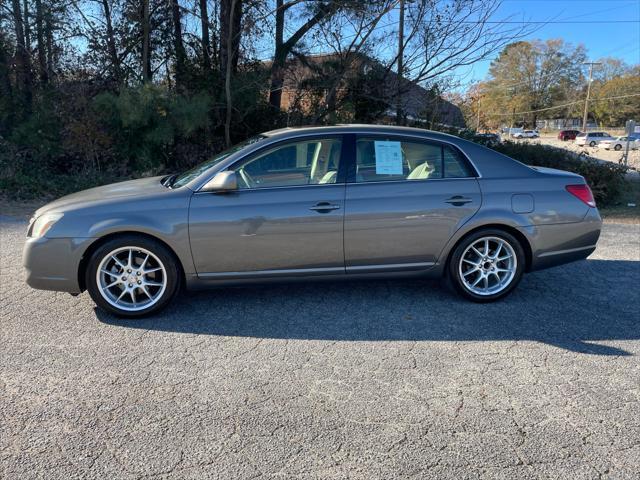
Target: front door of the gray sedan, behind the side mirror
286 218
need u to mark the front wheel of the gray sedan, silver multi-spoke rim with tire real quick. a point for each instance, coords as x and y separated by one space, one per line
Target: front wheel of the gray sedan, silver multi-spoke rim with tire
132 276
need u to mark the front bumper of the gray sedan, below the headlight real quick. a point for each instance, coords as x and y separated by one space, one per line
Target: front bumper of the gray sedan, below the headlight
53 263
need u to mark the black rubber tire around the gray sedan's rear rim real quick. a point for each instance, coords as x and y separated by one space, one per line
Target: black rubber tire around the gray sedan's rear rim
453 269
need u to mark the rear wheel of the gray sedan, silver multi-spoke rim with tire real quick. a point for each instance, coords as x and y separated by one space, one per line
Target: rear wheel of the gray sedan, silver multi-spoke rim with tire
487 265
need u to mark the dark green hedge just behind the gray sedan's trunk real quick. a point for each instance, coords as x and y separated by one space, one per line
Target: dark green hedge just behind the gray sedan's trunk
605 179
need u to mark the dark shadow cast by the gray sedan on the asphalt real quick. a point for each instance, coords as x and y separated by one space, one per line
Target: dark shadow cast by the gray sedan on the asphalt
569 307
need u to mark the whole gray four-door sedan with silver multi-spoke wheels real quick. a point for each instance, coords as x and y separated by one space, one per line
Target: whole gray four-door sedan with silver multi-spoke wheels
315 203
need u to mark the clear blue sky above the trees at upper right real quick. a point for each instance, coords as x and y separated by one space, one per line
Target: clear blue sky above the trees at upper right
601 39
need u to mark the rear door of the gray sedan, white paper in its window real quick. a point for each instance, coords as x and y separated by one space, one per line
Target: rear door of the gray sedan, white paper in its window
404 201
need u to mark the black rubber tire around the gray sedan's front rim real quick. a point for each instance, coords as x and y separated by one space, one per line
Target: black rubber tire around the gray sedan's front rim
164 255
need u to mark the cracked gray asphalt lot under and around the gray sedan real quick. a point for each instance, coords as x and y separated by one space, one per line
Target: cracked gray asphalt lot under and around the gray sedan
380 379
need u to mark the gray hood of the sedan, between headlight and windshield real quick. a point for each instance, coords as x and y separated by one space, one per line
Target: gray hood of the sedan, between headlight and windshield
107 193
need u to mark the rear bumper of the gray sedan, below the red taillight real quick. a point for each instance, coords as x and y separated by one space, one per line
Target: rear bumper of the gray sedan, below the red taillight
563 243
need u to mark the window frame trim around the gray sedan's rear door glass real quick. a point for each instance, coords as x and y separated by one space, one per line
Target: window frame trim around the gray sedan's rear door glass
351 180
